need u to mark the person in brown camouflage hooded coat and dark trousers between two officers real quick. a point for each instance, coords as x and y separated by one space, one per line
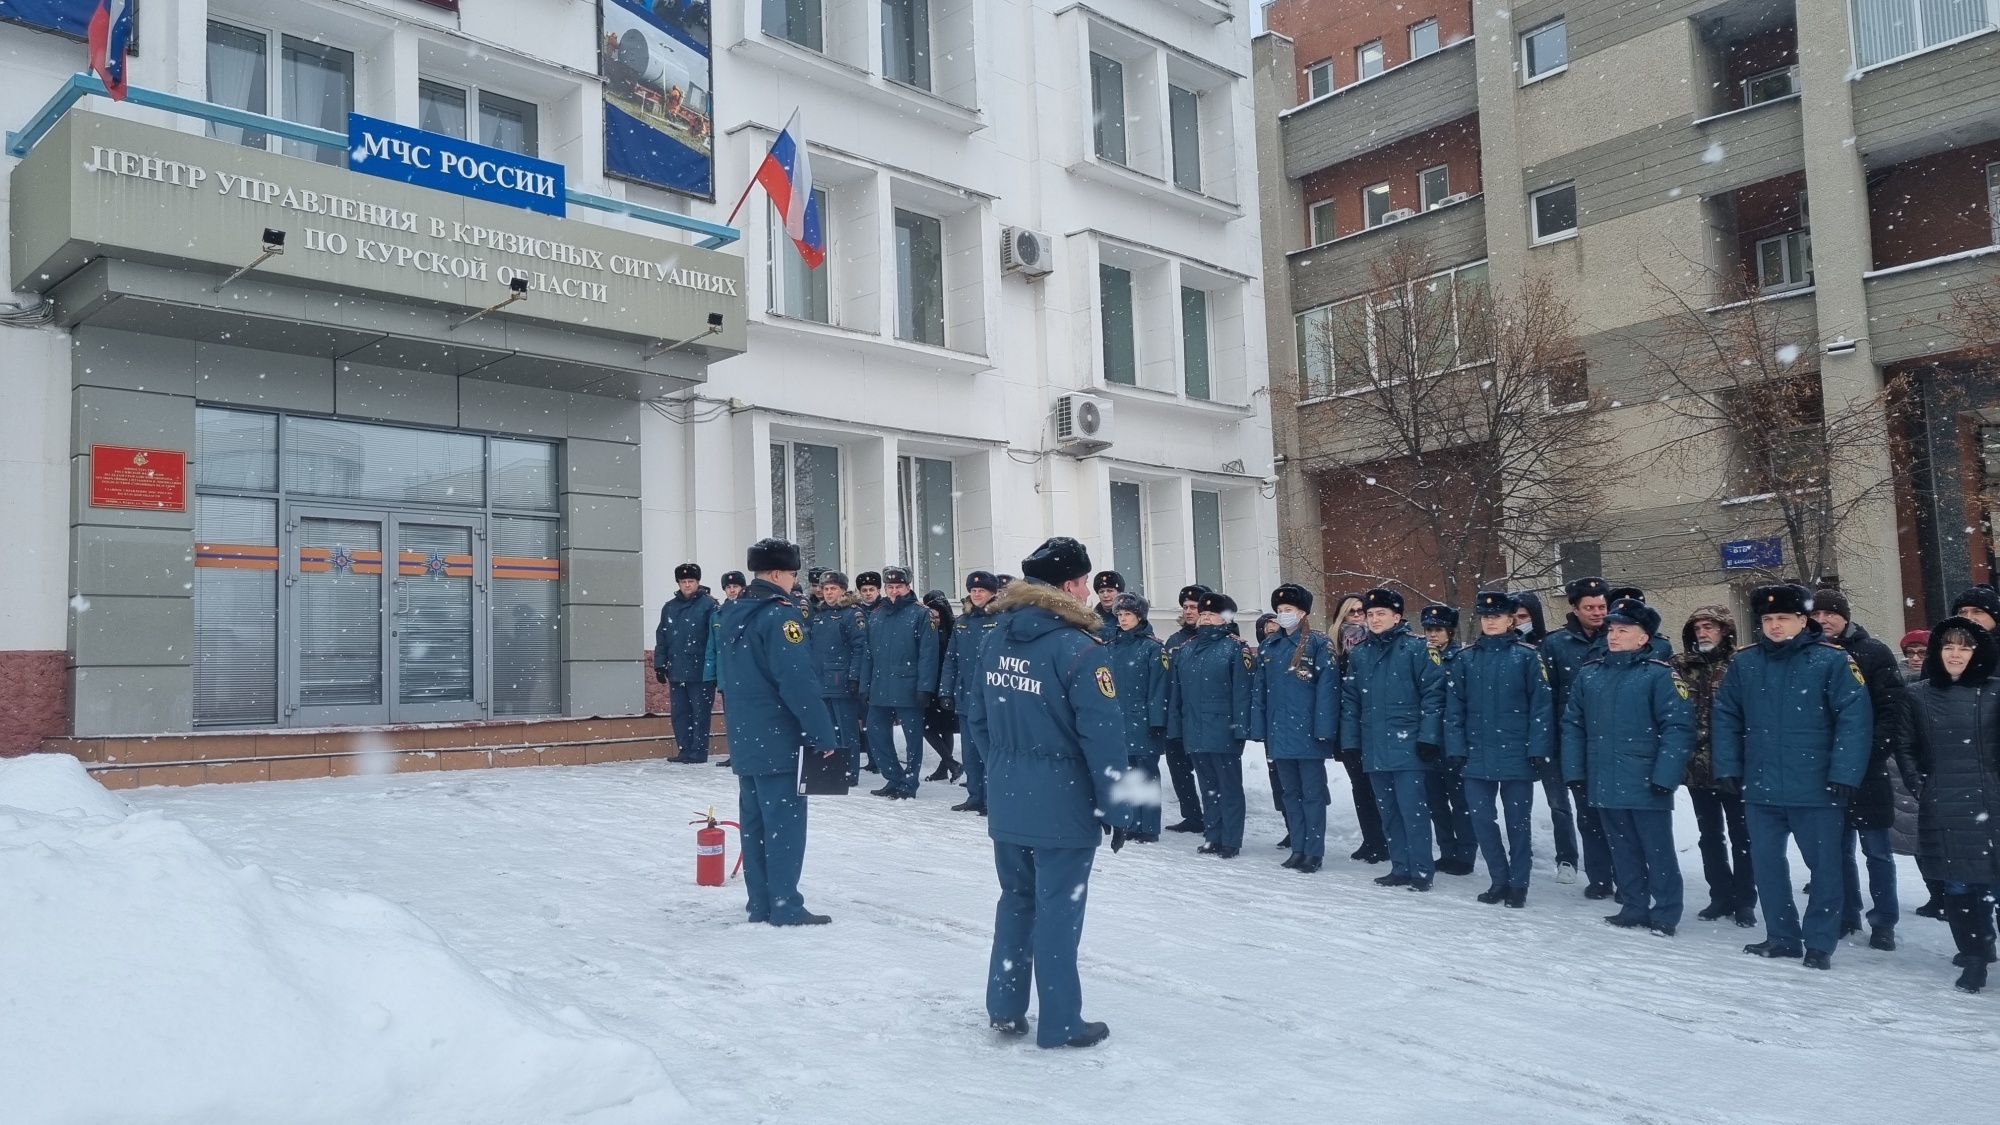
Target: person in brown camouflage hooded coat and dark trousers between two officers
1709 642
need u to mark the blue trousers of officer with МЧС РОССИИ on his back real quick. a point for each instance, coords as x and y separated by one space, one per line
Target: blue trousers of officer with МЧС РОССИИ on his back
1037 928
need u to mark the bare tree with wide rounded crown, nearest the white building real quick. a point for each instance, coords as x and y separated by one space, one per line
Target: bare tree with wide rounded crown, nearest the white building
1459 421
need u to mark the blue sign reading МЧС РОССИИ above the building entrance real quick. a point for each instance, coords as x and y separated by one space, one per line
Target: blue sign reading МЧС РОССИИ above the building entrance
449 165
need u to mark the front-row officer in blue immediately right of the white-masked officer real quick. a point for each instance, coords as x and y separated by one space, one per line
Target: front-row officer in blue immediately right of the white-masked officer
1393 714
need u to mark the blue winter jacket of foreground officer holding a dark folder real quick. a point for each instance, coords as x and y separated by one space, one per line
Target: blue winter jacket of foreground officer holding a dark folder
767 676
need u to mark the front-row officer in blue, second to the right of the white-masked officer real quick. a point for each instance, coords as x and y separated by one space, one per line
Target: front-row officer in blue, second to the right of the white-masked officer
1501 732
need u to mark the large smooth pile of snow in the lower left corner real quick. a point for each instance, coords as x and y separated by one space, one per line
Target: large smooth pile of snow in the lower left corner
151 980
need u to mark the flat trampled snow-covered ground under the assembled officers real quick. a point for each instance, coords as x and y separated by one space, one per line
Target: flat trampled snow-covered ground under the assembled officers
1235 990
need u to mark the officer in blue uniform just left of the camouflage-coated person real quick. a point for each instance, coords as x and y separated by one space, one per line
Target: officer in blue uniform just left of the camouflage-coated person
1627 740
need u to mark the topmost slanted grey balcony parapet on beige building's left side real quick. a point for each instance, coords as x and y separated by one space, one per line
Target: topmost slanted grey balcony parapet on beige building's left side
1391 107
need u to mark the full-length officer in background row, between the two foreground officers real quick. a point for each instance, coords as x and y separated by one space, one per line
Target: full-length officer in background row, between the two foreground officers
899 674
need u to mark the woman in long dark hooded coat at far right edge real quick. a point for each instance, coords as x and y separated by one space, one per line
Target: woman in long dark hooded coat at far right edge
1947 756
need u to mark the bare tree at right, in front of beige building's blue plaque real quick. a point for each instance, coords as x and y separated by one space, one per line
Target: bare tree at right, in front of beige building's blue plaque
1741 385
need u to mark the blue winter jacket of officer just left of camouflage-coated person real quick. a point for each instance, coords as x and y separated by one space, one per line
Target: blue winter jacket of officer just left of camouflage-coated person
1629 726
